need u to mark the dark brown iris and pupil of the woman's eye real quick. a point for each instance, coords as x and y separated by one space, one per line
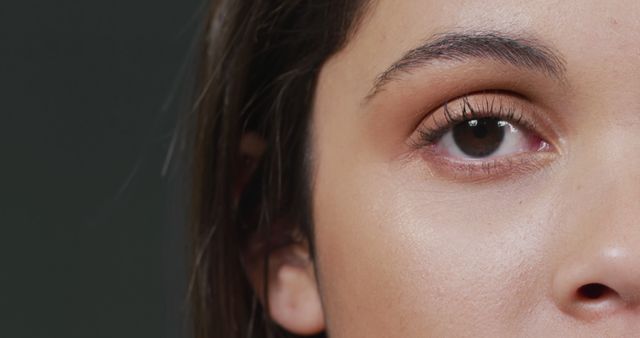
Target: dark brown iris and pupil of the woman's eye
479 138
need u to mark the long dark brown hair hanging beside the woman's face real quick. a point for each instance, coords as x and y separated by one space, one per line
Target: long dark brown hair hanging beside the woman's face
259 67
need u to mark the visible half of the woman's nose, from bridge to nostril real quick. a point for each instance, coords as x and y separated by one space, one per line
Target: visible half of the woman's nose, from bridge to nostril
597 271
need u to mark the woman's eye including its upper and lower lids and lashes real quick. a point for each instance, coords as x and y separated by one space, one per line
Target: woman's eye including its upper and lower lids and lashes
484 135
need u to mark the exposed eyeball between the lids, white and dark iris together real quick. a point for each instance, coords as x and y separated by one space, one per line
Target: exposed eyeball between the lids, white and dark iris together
486 137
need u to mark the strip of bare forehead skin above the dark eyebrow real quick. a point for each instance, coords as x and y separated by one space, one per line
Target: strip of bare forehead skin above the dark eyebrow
404 21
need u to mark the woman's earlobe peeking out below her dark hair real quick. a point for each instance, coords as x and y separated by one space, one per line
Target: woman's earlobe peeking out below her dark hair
293 296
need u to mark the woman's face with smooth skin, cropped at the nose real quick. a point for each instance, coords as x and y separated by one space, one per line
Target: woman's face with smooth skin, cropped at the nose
477 171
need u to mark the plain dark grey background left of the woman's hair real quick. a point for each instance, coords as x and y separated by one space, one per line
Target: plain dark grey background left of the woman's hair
91 243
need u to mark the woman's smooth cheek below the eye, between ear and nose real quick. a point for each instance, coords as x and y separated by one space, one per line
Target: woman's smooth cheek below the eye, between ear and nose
400 256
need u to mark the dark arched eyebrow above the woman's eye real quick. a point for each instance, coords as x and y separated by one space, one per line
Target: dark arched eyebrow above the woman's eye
513 50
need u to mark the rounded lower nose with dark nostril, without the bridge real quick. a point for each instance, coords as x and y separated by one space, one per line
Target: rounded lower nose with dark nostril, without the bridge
601 284
